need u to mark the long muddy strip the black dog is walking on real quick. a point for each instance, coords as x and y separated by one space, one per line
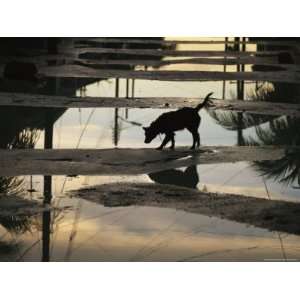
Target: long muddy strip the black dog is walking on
124 161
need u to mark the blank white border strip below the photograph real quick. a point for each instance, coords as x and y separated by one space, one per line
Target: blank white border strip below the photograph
149 281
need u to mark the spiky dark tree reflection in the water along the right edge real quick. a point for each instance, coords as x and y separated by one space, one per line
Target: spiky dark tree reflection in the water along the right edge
283 131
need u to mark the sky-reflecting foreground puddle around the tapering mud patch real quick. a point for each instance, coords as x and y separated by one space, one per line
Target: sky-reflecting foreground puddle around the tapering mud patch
93 232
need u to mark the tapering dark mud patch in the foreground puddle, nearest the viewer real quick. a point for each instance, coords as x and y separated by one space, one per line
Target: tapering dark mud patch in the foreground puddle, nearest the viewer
264 213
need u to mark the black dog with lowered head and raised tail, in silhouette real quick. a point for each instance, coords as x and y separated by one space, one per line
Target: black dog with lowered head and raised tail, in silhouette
170 122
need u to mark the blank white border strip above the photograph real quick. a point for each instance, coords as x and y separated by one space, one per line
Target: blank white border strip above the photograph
149 18
